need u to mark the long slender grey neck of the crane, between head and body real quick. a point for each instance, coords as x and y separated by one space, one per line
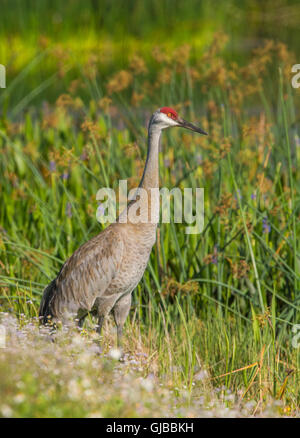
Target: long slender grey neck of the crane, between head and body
150 178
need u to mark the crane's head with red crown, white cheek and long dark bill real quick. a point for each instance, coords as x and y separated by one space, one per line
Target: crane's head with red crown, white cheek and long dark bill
166 117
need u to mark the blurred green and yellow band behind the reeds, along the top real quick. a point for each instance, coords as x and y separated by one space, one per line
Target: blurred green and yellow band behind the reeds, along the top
34 34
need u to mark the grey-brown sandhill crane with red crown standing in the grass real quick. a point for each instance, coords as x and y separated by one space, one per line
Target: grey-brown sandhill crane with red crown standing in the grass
102 273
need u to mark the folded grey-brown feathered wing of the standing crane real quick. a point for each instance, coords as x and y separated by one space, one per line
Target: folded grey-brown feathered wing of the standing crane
85 275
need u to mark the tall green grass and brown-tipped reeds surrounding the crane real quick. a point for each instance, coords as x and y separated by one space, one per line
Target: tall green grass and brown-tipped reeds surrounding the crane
215 311
